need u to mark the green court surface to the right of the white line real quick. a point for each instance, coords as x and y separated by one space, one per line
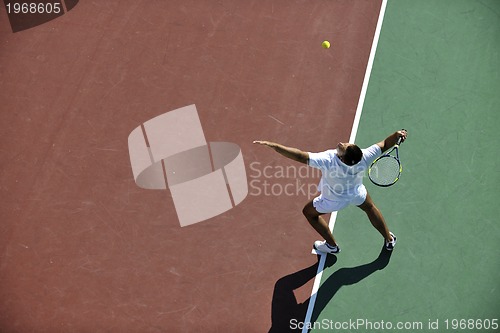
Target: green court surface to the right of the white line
437 74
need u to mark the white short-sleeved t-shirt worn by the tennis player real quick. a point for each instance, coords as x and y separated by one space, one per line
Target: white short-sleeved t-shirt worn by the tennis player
339 180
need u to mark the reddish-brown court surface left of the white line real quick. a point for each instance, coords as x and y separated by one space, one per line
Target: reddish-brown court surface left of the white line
82 248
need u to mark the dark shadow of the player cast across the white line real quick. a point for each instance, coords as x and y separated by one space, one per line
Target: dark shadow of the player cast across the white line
287 315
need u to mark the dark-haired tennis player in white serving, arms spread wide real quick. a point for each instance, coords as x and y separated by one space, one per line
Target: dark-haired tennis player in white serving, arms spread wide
341 185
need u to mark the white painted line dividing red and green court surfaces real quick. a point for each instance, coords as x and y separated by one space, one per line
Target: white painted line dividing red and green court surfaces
357 117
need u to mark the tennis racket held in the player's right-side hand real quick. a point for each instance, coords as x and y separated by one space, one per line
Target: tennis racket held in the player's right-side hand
386 169
